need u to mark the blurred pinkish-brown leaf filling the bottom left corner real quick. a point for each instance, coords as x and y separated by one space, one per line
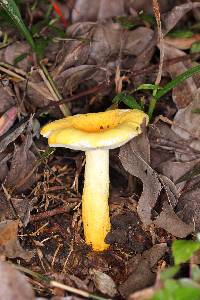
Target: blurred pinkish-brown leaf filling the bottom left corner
13 284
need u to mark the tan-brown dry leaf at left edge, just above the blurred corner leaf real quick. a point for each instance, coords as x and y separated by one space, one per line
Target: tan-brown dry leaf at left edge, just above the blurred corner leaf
9 244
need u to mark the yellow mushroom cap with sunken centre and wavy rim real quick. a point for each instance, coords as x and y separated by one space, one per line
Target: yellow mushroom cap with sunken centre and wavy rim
103 130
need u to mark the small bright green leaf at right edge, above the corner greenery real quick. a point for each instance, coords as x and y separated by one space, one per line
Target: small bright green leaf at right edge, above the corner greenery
183 250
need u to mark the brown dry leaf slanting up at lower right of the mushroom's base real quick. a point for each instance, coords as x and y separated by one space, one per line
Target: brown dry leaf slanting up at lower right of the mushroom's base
142 275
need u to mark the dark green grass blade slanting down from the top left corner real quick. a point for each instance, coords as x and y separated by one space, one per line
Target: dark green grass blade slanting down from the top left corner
12 10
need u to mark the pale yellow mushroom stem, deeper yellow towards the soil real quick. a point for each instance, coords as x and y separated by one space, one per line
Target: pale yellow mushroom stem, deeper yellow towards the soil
95 209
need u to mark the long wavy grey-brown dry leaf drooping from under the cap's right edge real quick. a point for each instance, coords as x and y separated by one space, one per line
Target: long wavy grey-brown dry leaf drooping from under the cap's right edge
134 159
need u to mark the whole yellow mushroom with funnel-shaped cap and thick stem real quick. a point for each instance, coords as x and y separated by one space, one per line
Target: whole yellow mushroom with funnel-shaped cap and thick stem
95 133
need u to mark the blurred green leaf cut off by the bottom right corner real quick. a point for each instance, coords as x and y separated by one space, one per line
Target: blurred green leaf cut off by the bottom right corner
173 290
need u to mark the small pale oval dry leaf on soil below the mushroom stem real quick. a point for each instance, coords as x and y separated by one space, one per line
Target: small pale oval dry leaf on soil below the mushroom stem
103 283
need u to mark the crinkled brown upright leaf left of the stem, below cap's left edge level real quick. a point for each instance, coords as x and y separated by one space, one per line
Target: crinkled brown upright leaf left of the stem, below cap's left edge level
22 164
